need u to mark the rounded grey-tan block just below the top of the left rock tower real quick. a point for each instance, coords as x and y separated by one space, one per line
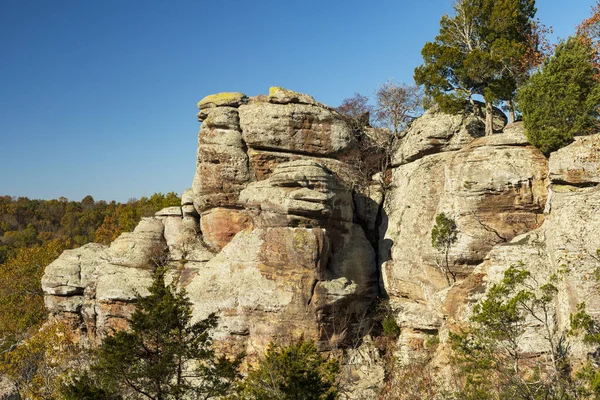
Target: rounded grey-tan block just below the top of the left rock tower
303 128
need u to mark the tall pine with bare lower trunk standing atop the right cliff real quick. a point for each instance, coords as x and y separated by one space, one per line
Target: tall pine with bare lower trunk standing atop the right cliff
478 51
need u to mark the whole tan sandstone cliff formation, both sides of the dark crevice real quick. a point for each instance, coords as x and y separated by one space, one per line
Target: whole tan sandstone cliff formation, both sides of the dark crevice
277 238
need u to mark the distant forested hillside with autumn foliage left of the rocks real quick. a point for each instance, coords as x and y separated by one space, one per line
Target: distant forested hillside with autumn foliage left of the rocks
35 232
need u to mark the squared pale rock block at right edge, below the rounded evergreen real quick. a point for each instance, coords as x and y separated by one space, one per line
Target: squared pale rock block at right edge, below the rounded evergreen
578 163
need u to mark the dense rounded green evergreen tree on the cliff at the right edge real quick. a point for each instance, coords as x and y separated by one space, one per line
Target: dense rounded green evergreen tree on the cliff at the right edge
561 100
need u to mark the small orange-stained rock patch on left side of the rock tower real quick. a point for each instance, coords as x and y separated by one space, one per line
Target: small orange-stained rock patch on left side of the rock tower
220 225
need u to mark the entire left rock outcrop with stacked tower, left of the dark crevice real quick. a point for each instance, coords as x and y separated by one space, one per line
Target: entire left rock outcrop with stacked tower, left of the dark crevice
267 236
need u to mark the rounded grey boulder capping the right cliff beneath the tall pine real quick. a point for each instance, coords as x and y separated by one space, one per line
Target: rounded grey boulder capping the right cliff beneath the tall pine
436 132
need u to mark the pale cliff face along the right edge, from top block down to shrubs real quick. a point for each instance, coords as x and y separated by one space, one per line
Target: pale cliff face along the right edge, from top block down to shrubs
565 245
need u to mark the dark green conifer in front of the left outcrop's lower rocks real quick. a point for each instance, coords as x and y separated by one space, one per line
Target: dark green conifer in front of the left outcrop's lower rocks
162 356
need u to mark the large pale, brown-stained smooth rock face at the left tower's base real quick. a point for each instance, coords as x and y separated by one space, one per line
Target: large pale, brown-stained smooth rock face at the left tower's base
261 284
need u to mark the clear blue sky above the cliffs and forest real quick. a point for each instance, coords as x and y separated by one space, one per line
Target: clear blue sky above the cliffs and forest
99 97
